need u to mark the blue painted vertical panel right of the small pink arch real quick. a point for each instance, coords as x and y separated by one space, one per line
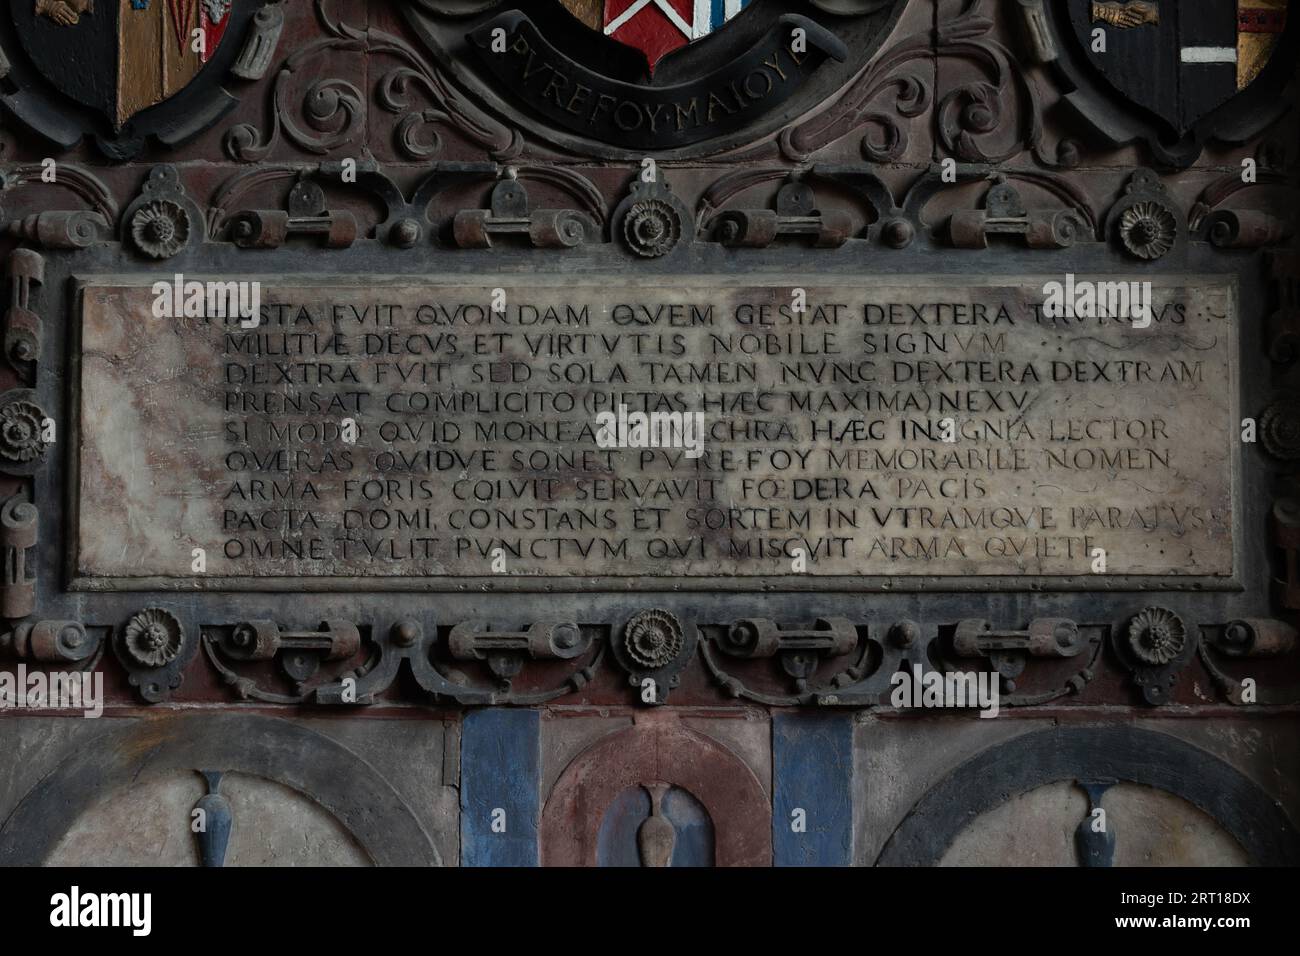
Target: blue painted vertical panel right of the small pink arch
813 771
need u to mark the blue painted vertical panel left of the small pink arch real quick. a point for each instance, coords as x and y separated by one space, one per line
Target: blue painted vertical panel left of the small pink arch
501 760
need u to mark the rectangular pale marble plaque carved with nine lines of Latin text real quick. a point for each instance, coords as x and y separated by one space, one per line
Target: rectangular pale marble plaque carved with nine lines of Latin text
918 429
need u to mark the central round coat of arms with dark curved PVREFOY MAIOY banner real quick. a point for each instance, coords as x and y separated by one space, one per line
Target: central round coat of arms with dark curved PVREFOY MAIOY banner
657 75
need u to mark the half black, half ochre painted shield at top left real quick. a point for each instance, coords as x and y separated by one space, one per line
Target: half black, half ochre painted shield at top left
120 57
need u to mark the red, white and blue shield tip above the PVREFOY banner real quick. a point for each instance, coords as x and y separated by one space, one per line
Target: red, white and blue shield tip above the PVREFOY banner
656 28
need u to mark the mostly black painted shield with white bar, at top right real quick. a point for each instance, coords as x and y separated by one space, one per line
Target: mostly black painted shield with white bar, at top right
1180 60
